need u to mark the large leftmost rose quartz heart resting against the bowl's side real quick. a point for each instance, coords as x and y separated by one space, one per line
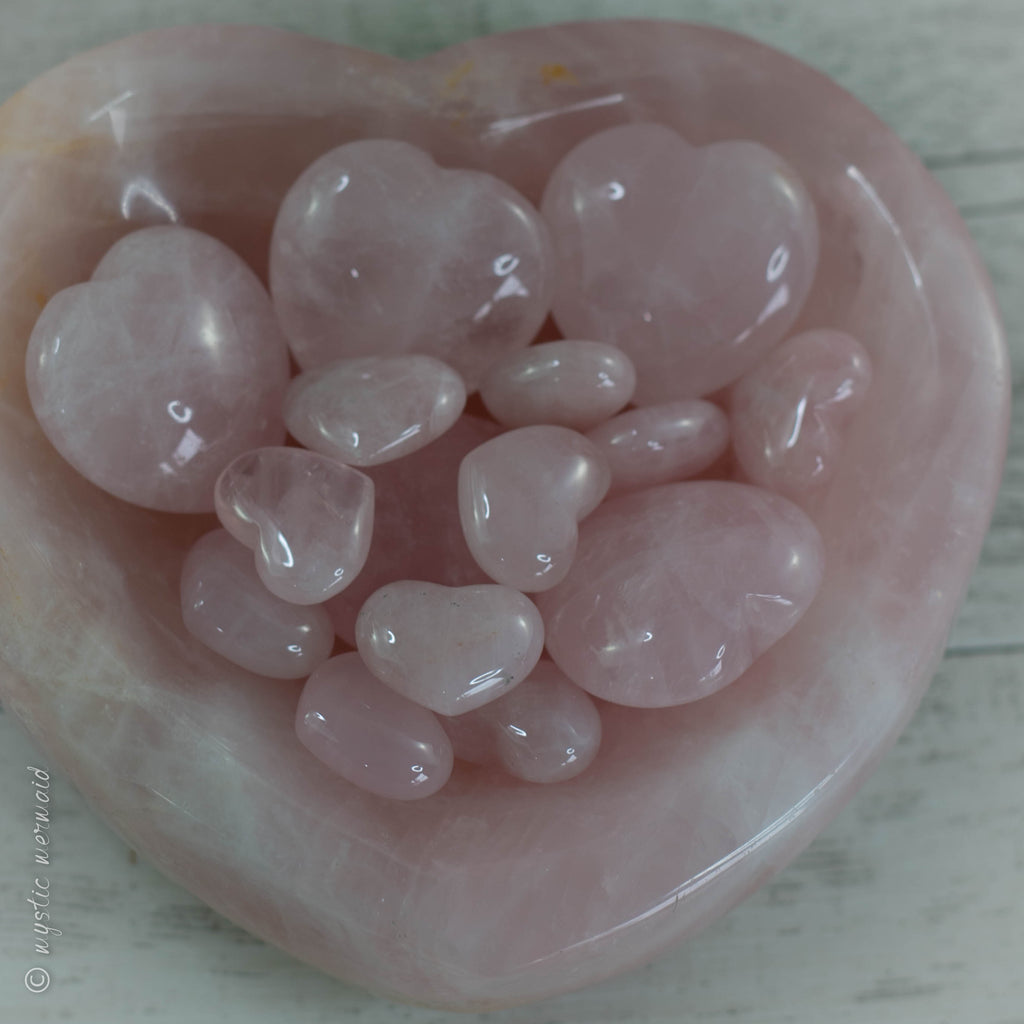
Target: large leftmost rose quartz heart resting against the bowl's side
151 377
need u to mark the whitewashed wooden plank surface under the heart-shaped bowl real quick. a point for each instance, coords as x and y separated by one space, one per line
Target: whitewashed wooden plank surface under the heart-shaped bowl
911 907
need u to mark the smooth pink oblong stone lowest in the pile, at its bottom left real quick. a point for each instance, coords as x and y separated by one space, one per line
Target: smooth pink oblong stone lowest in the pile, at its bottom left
371 736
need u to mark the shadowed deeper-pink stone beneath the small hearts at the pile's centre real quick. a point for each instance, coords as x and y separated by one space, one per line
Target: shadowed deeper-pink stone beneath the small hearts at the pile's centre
417 533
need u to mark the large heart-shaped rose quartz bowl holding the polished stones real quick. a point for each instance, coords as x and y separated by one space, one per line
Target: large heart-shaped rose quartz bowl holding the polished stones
494 891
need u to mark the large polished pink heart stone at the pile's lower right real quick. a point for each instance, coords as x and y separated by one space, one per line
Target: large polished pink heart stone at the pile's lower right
676 590
